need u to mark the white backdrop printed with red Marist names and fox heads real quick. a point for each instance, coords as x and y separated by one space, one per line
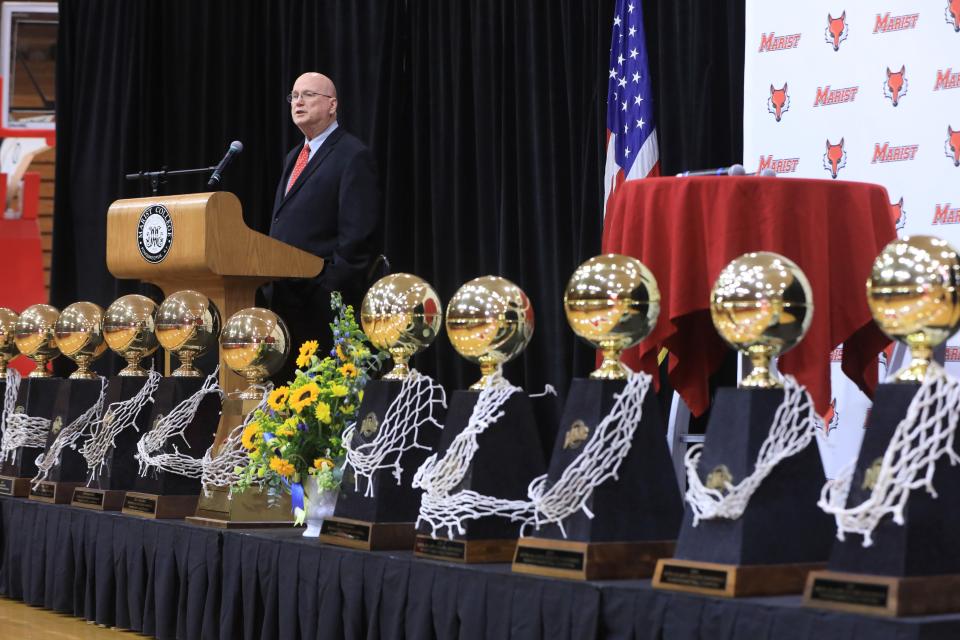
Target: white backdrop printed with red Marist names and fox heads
863 90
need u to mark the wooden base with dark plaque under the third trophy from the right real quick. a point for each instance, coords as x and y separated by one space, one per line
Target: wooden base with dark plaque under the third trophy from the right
589 560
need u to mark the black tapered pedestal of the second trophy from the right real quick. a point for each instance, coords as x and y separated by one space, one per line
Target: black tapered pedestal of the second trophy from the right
782 524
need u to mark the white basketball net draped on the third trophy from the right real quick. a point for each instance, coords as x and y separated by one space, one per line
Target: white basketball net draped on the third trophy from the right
598 462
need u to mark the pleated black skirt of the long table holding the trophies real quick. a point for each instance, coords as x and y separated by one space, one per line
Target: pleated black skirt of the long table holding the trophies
170 579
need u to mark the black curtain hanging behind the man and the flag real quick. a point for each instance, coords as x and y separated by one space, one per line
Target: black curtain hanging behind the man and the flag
486 118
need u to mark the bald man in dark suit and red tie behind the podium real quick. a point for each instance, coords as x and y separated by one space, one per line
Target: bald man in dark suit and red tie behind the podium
328 202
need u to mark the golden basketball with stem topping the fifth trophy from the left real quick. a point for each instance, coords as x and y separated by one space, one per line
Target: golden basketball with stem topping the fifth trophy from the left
188 324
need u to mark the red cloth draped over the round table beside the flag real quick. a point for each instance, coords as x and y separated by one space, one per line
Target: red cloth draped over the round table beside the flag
687 229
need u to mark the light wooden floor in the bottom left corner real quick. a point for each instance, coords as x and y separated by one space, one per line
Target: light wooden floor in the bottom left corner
23 622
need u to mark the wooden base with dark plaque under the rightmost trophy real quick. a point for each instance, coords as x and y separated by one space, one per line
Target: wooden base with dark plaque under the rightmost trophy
883 595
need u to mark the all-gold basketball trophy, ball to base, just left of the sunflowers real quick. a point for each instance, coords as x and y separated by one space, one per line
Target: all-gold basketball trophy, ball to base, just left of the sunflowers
254 343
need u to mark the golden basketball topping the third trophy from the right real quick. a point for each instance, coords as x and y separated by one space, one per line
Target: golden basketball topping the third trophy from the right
612 302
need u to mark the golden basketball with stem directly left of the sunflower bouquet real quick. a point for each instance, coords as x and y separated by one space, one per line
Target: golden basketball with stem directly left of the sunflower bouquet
255 343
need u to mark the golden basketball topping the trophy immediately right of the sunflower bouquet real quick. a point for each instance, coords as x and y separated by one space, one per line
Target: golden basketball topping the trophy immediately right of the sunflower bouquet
401 314
